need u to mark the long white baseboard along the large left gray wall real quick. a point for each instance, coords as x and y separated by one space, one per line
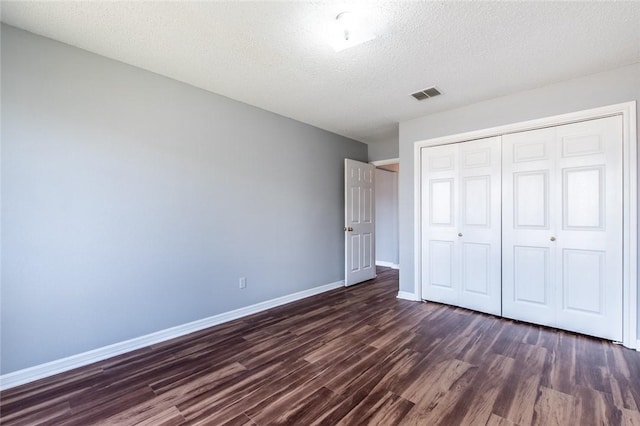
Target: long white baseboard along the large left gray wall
41 371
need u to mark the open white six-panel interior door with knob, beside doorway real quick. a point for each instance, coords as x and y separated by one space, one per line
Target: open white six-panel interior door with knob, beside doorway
359 222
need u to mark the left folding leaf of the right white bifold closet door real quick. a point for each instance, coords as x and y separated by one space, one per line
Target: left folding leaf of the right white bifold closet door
528 255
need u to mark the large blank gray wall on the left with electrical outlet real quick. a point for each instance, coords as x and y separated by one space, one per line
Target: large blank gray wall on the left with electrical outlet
132 202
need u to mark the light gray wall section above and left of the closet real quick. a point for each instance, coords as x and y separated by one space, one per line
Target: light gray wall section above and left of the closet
616 86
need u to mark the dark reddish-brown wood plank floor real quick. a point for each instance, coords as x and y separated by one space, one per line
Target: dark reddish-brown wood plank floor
350 356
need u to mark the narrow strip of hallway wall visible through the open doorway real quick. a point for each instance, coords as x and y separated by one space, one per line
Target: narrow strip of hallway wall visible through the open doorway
386 216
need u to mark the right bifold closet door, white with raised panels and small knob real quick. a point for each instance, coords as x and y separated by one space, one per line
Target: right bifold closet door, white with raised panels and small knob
562 227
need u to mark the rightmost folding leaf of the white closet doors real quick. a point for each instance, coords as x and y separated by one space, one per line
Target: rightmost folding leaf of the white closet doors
589 227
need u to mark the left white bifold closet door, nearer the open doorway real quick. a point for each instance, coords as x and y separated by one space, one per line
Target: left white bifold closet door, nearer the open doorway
461 224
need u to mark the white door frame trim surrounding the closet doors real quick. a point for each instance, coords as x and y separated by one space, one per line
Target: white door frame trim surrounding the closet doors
629 193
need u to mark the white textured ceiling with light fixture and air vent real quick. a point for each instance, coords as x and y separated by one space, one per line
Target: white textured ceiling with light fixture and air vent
274 55
